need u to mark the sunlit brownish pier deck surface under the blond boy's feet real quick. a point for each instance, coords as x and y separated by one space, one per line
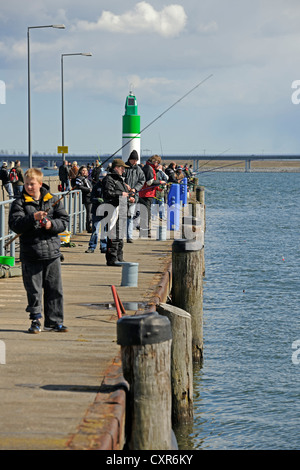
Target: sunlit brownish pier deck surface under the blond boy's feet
59 391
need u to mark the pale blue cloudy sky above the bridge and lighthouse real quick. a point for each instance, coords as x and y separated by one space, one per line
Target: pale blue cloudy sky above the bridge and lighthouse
243 55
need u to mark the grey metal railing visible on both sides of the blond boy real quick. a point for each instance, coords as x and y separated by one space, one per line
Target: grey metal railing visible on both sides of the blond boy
72 204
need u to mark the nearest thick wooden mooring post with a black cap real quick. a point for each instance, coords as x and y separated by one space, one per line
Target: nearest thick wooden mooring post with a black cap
146 360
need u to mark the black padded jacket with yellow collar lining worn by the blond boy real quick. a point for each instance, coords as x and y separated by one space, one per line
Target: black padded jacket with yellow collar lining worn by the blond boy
37 243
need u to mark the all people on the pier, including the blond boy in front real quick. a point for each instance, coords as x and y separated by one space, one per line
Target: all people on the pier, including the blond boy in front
38 217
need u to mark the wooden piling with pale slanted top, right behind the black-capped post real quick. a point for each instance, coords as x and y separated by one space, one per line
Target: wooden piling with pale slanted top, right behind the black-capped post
181 363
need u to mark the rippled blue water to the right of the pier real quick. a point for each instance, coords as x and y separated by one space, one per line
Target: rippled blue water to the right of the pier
247 392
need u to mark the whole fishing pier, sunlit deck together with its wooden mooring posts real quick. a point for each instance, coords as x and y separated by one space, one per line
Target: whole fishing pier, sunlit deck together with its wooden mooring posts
74 390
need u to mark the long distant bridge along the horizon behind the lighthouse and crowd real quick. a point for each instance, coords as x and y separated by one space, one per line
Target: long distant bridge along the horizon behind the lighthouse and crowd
41 160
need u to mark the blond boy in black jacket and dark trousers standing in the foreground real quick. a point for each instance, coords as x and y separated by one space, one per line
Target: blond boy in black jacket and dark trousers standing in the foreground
39 216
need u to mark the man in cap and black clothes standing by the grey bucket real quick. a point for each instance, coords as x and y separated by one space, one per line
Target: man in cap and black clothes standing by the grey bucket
114 189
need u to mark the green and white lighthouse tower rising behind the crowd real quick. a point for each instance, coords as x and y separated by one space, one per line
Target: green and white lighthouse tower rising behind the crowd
131 139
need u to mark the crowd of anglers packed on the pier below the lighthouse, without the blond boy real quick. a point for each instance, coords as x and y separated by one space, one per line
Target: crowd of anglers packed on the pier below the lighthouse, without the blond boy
139 187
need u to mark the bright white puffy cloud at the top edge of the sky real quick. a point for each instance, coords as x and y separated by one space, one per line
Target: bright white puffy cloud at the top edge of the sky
168 22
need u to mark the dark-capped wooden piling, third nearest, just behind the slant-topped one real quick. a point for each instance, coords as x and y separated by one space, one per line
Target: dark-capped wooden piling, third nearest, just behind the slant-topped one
187 287
